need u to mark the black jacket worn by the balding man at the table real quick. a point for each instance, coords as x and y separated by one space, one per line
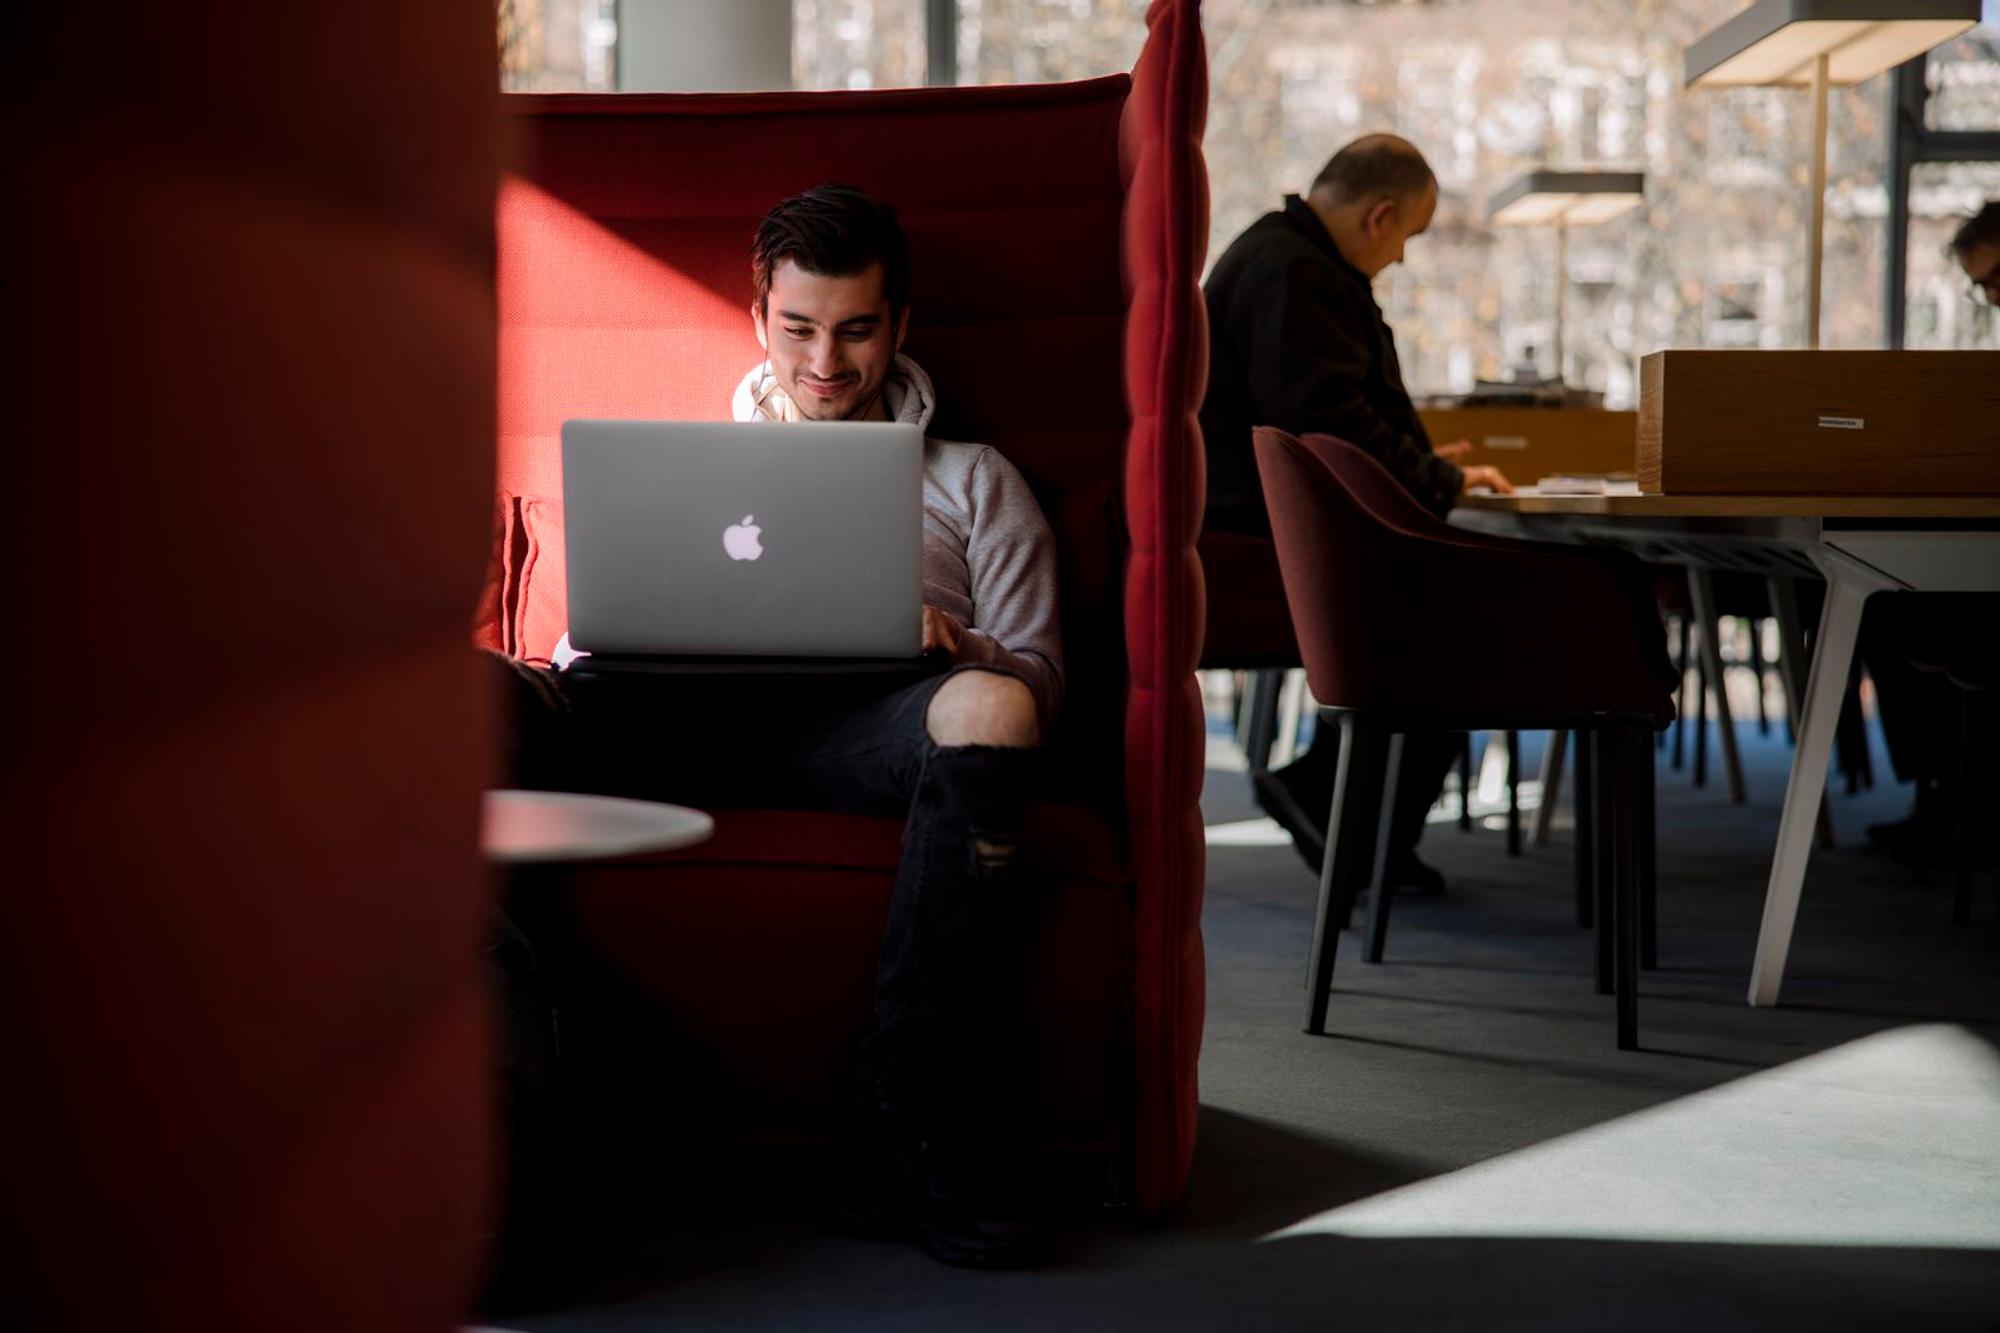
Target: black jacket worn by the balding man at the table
1297 341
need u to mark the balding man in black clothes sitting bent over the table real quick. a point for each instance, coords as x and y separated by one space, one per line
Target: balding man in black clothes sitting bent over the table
1297 341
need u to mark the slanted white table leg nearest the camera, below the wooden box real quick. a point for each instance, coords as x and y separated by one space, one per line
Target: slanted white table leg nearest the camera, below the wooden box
1847 589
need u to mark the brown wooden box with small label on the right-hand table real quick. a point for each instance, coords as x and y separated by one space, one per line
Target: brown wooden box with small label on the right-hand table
1819 423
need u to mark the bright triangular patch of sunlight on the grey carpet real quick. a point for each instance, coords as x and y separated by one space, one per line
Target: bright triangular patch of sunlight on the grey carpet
1881 1142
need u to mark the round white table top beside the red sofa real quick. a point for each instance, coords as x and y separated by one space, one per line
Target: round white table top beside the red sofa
561 826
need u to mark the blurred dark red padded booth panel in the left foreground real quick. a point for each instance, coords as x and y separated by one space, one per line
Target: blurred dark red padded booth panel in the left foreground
245 1020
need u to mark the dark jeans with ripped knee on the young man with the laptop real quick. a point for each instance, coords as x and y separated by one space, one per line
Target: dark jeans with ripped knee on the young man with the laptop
847 746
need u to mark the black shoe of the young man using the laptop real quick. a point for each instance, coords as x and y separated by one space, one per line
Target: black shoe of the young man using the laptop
889 1196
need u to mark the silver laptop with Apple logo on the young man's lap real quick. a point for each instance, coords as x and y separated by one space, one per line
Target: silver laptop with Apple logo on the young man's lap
745 539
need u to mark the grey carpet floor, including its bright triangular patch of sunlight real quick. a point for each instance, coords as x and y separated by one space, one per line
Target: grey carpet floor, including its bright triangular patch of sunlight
1467 1150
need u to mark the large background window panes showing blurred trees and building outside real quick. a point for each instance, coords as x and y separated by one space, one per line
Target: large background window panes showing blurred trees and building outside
1491 89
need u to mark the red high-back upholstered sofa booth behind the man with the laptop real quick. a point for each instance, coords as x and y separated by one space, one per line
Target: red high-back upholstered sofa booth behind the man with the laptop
1057 239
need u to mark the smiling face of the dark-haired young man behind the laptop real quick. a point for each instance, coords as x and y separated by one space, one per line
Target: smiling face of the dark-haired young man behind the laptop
831 341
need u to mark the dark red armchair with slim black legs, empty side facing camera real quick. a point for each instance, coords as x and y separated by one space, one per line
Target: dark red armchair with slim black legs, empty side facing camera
1377 591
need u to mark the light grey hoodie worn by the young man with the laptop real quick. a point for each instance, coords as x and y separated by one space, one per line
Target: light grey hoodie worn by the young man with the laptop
989 555
